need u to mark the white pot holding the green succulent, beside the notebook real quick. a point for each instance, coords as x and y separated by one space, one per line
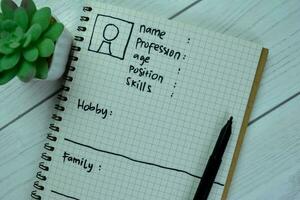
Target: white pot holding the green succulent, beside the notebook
60 56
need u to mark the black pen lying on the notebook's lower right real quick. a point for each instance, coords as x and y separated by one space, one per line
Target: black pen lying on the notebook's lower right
213 163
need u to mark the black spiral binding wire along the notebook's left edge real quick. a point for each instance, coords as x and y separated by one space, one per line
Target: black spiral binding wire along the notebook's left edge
38 184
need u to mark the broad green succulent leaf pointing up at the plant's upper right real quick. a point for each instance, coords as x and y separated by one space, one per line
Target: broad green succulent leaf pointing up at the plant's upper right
42 17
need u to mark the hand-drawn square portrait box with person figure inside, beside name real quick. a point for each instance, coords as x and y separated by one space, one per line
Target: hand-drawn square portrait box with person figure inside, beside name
110 36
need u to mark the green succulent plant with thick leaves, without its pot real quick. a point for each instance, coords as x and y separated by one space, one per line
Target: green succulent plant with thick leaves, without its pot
27 40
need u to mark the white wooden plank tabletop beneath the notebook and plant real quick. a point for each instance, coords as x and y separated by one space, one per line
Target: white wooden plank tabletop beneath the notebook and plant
269 164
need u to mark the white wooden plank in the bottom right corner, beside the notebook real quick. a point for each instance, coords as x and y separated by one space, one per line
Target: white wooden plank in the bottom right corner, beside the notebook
269 164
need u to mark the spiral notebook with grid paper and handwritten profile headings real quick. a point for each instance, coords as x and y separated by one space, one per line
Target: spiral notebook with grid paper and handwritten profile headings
142 106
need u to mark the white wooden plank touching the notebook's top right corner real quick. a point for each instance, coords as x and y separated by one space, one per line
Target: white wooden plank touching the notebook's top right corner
275 24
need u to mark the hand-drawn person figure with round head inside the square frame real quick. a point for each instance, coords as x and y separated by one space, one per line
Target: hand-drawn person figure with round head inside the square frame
110 33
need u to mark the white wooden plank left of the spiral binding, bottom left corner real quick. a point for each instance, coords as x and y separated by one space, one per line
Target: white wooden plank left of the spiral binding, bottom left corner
20 149
